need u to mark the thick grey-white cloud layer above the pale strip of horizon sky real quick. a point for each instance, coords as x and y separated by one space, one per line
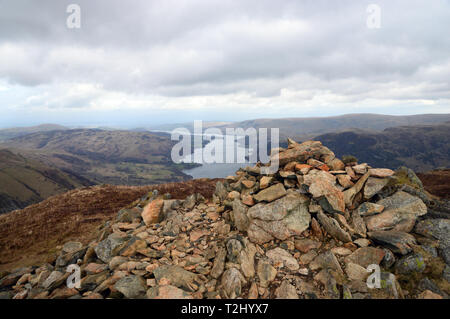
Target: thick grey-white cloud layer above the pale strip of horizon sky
179 48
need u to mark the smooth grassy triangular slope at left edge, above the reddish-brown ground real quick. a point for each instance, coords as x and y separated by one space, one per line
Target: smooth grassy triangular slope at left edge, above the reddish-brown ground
24 181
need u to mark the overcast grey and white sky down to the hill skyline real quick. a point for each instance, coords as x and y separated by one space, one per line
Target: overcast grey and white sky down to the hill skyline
138 63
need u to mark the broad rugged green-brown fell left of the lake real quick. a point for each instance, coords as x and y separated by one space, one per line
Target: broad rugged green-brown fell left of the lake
111 157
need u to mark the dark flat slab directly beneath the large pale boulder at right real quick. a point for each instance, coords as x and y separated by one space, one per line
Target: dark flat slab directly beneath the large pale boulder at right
399 242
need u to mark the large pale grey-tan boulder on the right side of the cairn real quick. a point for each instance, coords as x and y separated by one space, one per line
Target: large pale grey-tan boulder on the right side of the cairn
400 213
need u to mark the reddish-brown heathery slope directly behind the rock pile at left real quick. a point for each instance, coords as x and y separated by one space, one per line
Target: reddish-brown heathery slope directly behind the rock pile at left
30 235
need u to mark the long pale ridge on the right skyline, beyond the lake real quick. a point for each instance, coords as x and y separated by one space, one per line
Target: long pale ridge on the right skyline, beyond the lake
306 128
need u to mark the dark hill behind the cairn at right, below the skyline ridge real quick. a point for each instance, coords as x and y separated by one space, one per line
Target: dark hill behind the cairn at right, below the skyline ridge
420 147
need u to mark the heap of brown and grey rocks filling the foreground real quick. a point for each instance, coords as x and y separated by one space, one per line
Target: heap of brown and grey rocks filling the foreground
316 228
